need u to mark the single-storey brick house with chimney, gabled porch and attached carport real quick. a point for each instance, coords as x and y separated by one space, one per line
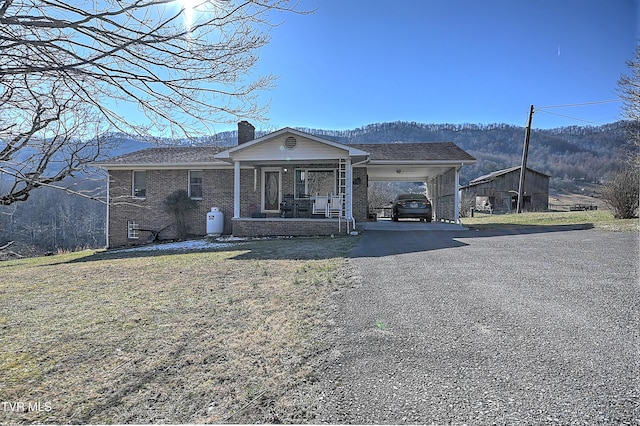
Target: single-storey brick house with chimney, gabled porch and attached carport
277 184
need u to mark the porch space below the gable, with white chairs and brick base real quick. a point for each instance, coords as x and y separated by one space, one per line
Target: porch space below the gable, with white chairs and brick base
293 199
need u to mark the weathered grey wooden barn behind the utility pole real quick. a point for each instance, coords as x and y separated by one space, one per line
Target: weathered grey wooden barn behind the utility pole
498 191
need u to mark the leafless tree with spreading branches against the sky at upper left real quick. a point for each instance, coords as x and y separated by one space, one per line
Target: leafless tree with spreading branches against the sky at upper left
69 72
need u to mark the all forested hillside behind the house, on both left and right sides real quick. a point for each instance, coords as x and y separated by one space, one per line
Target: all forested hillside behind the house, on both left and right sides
52 220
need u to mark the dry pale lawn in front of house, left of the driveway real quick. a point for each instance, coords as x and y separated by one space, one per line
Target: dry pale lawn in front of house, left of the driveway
221 336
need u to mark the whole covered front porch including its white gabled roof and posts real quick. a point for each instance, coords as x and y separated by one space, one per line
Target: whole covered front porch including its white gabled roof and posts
293 183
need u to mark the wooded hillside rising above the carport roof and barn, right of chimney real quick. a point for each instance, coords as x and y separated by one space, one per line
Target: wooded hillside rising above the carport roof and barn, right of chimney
567 154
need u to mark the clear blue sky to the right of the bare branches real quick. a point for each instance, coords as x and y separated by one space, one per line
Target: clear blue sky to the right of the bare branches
356 62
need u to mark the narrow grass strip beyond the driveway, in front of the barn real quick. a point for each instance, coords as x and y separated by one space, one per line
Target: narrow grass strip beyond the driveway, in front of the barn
600 219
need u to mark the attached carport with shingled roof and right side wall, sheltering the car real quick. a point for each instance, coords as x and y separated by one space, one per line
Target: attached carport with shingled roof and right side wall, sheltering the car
435 163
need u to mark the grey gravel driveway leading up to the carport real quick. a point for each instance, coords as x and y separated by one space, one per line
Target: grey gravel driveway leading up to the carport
480 328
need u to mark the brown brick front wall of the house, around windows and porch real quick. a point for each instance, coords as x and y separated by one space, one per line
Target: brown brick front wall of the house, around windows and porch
217 192
